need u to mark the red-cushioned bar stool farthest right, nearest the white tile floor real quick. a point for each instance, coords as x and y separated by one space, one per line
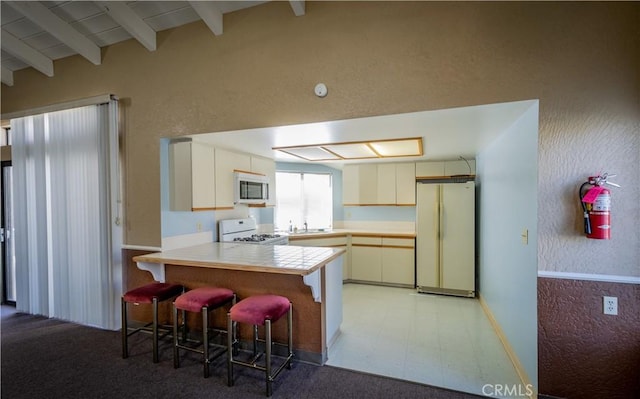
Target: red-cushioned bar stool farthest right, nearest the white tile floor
259 310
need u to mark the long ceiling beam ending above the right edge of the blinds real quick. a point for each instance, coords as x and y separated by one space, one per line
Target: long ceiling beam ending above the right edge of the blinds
58 28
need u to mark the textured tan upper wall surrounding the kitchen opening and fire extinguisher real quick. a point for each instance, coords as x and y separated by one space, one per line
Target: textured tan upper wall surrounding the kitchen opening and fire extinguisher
580 59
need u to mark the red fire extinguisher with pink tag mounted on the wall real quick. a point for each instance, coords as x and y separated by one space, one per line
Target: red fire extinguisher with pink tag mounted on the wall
596 207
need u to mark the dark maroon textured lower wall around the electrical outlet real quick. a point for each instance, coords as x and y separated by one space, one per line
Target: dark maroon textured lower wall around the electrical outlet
583 353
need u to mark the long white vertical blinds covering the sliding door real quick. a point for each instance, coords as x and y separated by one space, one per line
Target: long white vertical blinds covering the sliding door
65 173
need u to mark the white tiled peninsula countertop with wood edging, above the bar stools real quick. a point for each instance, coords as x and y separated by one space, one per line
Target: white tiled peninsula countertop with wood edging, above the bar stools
285 259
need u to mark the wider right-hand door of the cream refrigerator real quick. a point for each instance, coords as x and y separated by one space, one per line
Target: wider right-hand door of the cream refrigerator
458 236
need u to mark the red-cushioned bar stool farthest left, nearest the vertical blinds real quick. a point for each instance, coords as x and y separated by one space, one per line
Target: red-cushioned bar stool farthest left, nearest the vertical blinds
152 293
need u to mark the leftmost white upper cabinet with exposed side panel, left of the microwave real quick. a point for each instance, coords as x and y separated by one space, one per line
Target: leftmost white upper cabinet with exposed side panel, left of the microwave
191 176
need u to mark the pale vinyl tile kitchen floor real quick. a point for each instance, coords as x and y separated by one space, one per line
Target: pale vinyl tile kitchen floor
437 340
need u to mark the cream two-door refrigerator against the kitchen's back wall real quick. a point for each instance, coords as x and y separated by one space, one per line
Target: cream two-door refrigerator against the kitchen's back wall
445 238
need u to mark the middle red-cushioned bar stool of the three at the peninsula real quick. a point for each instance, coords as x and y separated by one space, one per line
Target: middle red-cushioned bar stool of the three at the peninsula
201 300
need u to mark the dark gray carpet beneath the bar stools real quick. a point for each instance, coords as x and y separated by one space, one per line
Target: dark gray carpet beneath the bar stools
48 358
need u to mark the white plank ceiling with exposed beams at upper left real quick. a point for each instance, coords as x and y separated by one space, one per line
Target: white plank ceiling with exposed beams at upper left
35 33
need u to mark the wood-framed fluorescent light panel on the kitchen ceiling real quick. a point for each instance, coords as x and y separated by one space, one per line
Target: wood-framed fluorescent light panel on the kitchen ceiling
409 147
